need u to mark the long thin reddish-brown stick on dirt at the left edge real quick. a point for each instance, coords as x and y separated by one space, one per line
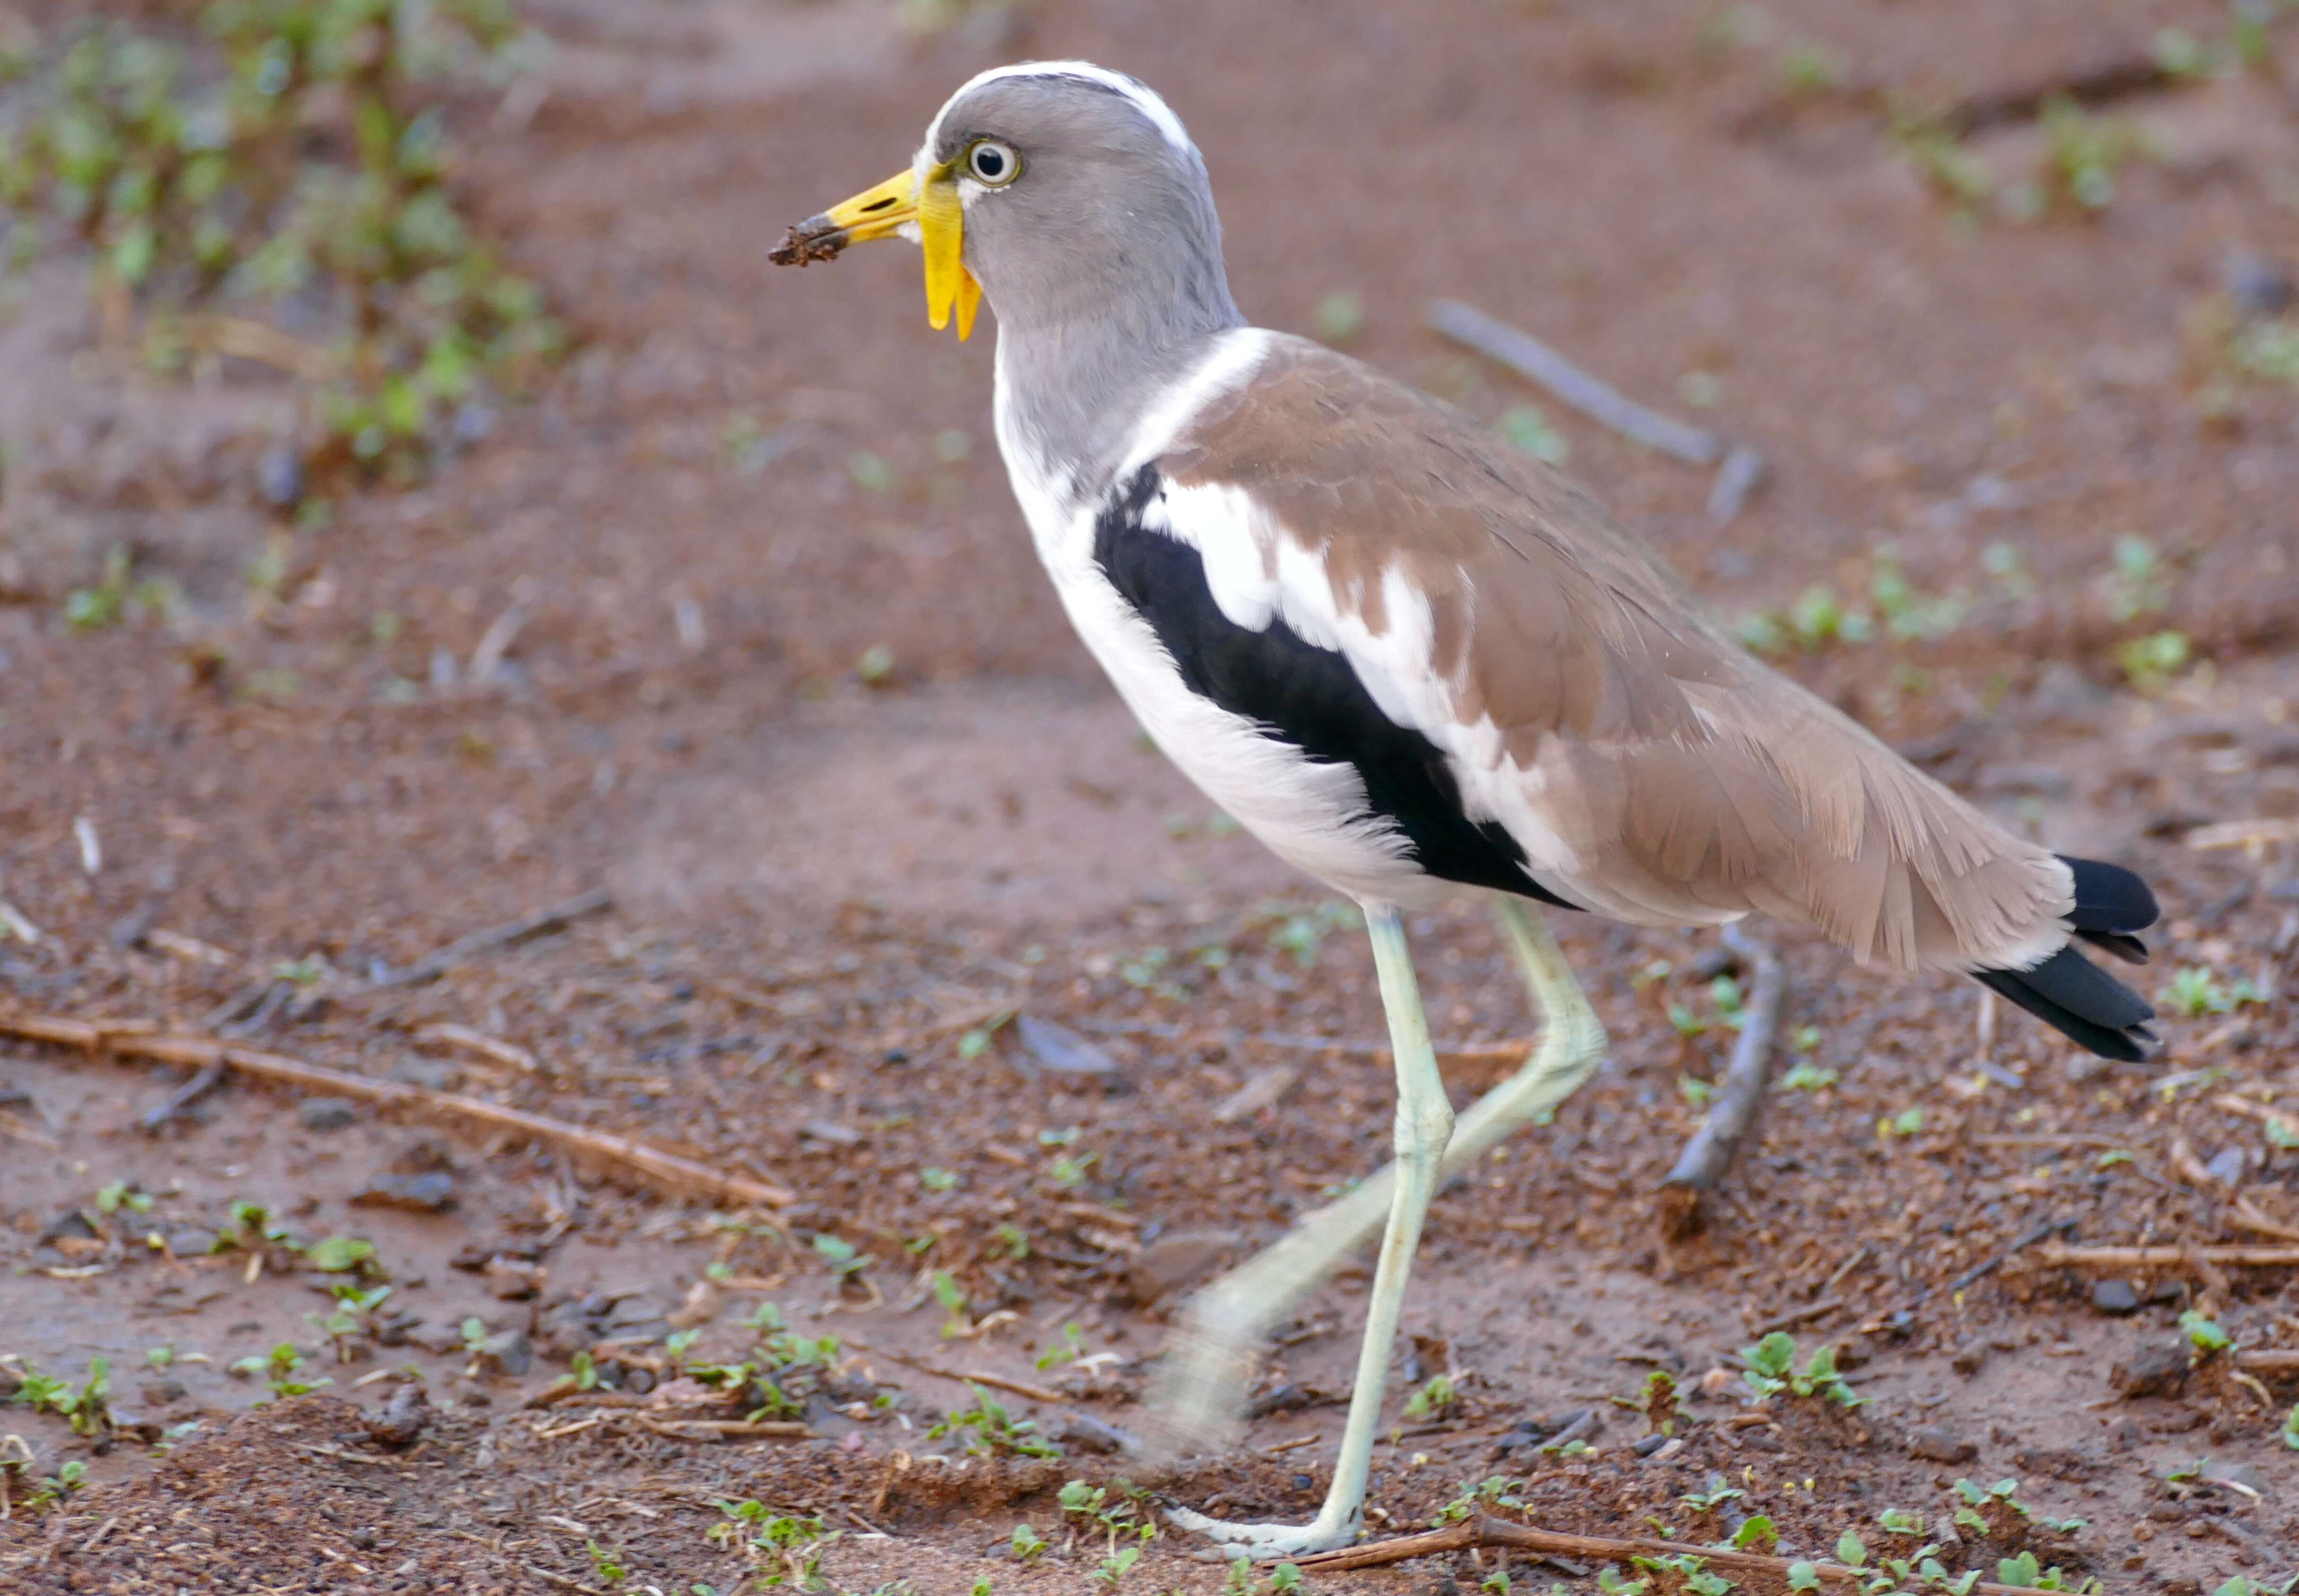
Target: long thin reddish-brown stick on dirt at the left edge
638 1158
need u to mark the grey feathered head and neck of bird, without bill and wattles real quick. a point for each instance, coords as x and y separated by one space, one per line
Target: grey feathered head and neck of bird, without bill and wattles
1102 261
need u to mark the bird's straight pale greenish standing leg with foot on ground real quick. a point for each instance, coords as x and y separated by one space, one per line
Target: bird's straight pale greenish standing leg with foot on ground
1422 1133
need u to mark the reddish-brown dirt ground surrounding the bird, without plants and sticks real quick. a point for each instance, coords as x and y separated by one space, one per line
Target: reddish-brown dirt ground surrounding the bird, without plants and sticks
829 893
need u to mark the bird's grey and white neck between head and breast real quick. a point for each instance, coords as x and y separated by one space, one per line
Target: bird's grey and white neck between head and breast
1075 385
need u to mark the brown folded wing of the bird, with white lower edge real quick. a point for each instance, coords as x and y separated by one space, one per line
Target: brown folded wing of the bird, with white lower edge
1650 765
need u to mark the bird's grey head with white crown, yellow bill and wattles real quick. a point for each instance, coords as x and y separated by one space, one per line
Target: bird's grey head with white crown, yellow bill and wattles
1056 187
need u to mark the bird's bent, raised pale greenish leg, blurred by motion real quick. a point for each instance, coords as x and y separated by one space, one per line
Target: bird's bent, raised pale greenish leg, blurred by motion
1210 1358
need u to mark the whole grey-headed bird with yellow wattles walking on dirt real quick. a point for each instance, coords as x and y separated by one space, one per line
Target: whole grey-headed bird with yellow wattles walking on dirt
1420 666
